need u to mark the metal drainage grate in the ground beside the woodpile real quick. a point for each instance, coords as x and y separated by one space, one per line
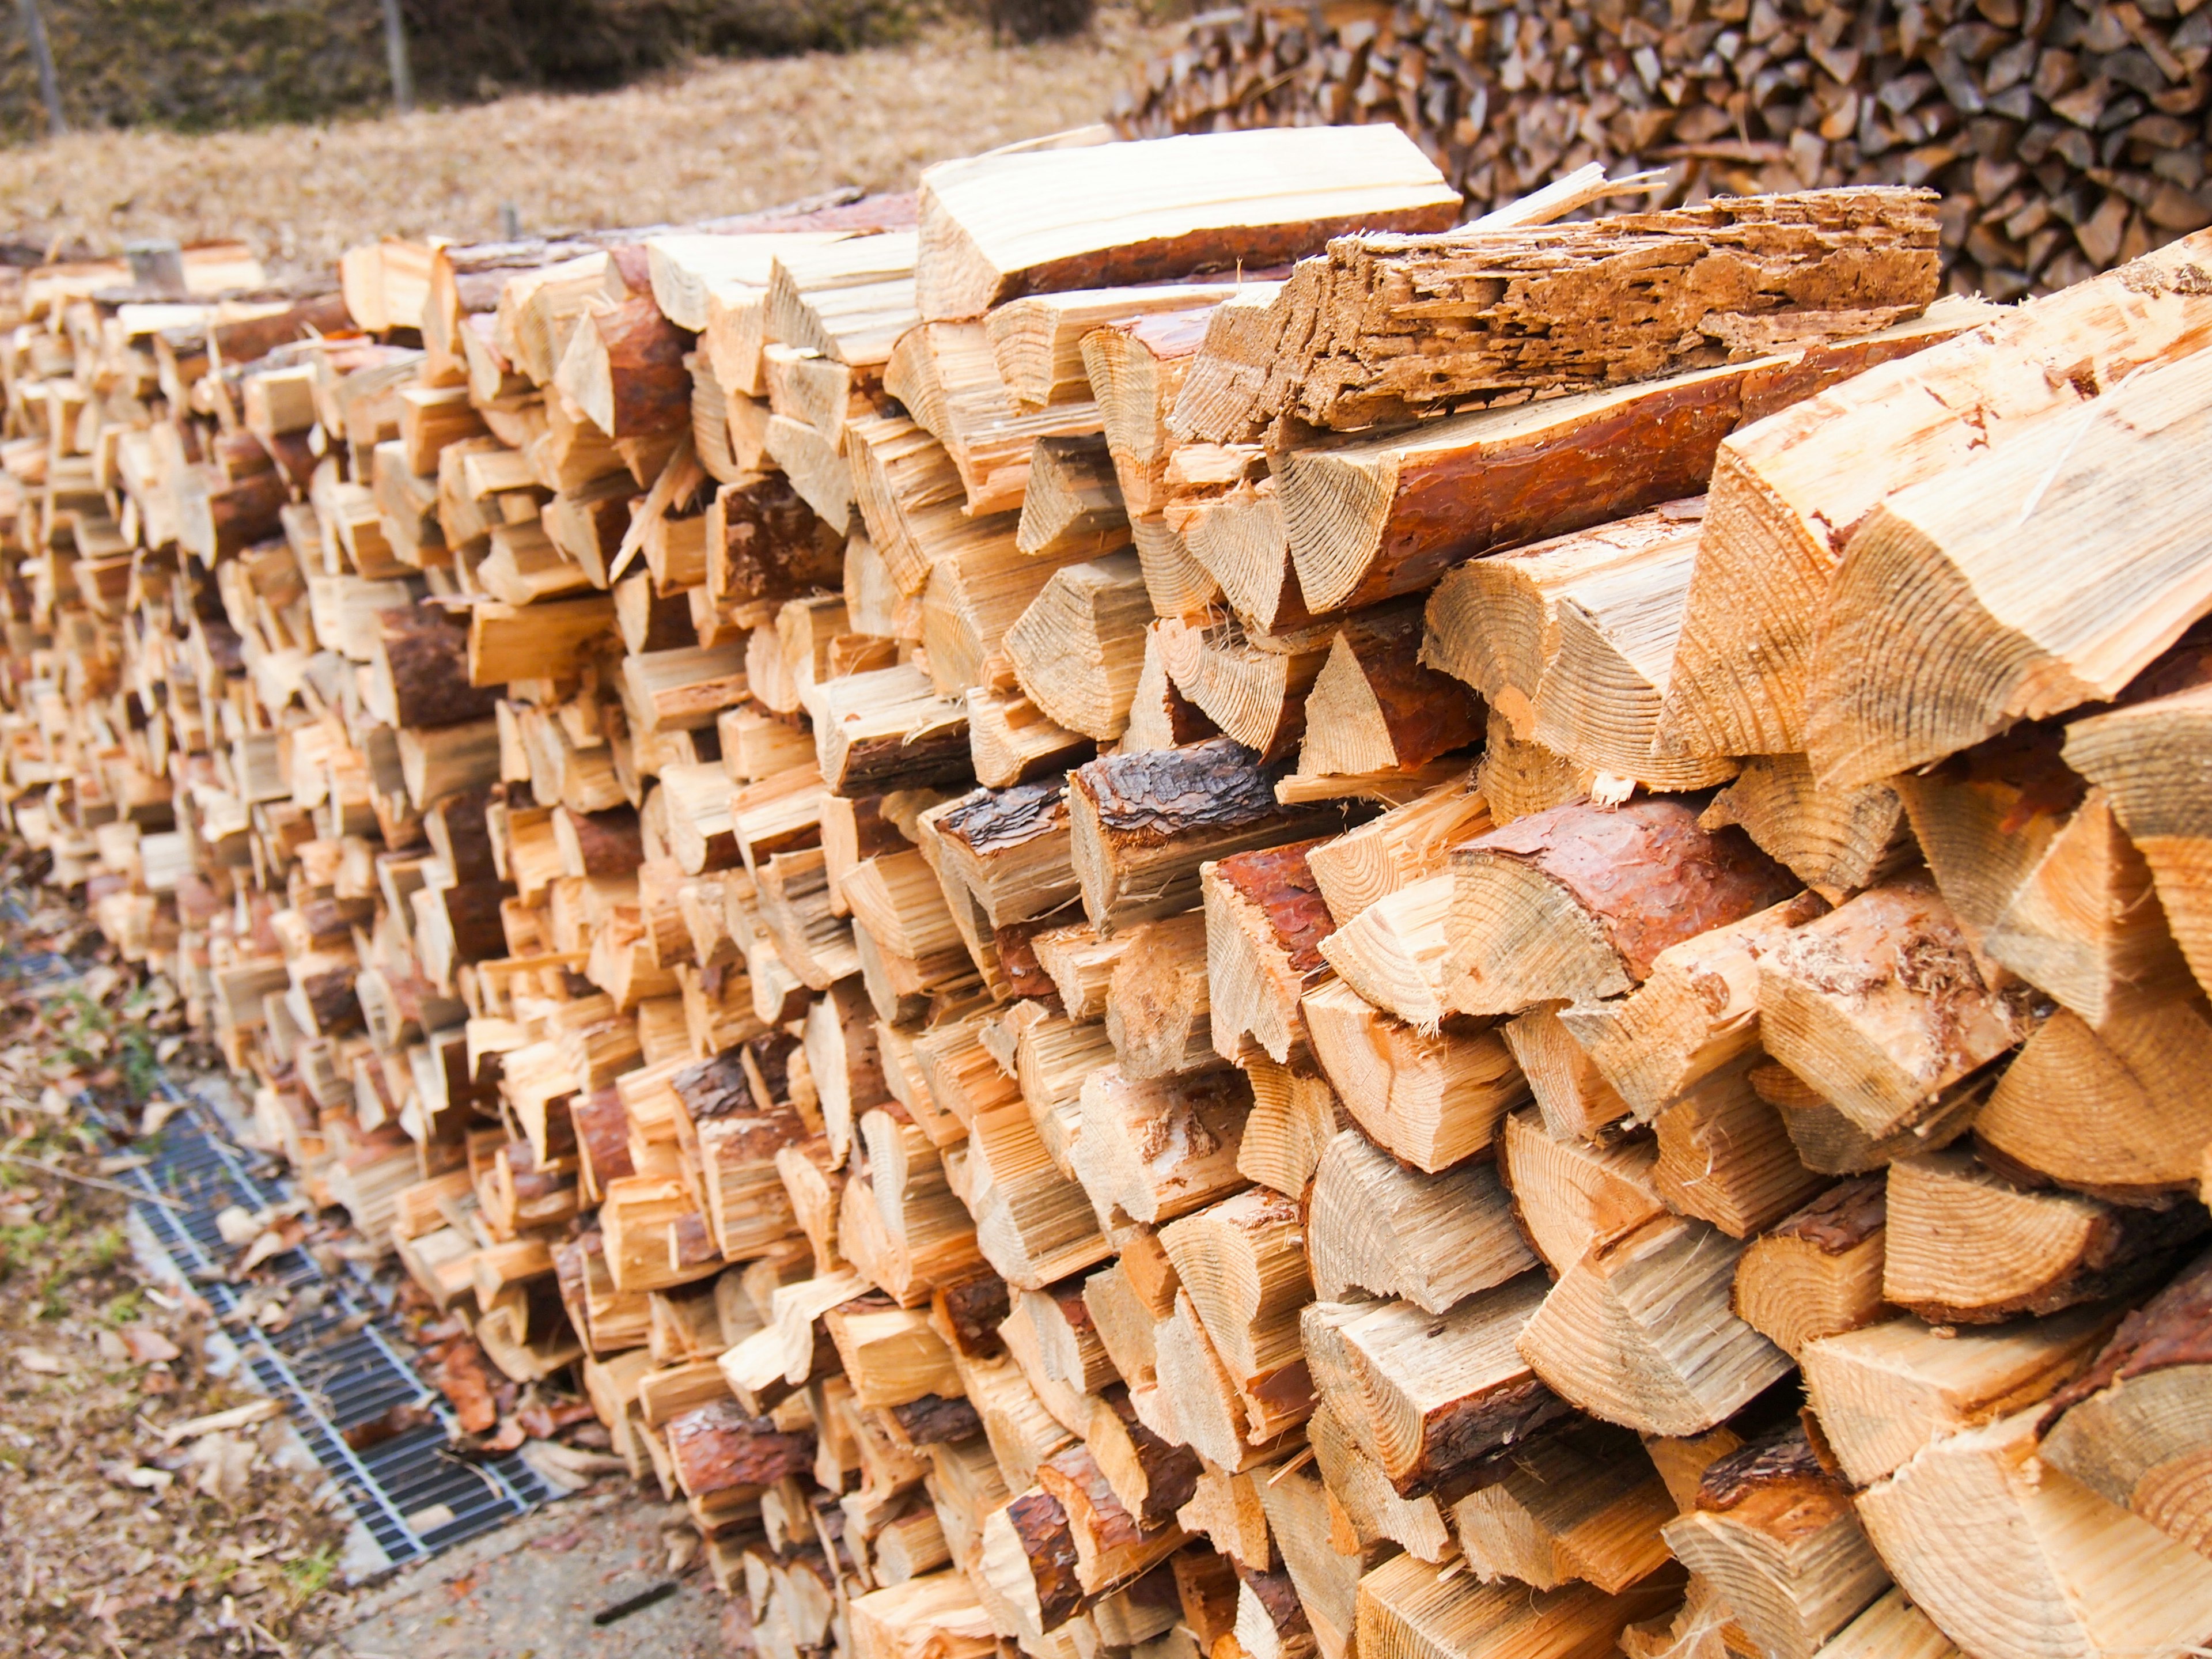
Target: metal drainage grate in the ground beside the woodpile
335 1366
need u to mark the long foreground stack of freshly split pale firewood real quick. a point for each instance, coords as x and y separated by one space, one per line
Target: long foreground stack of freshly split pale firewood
1162 912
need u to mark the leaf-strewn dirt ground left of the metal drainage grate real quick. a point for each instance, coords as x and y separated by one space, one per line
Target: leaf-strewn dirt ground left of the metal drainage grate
125 1523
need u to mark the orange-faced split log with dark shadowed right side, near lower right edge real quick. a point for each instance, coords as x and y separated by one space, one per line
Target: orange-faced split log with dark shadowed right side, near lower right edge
1965 1246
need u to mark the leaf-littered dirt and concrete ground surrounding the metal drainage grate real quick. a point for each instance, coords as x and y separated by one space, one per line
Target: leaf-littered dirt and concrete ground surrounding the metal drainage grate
129 1521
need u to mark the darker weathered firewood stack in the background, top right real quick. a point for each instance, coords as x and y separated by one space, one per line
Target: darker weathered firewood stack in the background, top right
2065 136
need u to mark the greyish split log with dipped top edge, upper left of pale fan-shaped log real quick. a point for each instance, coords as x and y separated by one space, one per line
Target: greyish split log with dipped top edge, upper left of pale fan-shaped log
1379 1229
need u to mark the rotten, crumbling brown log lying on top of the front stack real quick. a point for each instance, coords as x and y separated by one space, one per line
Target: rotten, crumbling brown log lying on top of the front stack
1614 300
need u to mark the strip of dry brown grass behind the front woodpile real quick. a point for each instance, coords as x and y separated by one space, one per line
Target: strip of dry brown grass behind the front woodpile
711 140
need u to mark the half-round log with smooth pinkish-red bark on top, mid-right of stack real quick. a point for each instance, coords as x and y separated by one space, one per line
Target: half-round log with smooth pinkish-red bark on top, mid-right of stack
1541 910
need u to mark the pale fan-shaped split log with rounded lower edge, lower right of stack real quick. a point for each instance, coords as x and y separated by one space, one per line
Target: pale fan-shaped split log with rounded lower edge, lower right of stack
1640 1333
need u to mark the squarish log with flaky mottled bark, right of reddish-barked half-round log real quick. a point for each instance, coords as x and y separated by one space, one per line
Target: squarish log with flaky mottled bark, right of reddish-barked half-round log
1914 1014
